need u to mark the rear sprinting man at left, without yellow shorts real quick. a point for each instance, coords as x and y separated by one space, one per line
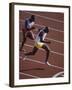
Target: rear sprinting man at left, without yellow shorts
27 31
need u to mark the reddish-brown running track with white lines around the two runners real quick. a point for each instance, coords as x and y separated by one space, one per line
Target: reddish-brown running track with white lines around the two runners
34 66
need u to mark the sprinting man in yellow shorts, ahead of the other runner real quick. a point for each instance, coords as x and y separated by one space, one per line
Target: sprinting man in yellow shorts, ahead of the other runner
40 43
